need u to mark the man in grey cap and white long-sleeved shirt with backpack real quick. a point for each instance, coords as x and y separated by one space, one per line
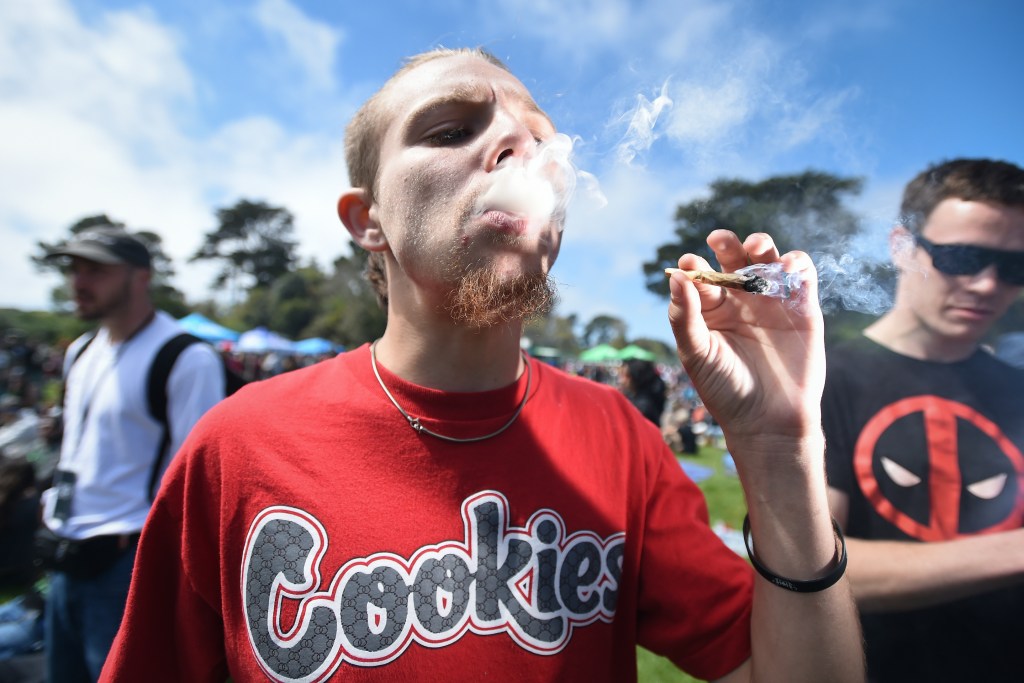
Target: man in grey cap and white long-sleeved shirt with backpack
113 454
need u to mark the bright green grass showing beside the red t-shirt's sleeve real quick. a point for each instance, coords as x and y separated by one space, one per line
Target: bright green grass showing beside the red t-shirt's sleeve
726 503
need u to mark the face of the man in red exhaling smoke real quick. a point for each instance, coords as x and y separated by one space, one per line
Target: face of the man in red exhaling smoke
454 121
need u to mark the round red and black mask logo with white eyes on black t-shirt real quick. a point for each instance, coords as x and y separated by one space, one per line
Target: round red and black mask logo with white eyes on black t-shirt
938 469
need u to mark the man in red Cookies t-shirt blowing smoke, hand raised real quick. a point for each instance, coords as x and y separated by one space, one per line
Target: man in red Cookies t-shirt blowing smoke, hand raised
439 505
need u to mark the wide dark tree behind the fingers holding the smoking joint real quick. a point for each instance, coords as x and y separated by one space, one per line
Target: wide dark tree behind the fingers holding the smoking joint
803 211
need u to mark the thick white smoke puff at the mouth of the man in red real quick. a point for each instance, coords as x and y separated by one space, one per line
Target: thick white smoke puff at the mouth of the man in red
537 189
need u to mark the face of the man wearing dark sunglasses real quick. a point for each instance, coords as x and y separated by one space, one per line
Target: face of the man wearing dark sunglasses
962 309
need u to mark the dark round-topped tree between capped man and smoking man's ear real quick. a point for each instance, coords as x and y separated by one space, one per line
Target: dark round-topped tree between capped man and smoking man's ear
253 240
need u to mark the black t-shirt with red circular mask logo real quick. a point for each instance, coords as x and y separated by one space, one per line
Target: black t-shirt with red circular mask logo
930 452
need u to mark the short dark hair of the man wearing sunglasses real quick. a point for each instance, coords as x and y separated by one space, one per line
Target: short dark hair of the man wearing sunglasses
968 180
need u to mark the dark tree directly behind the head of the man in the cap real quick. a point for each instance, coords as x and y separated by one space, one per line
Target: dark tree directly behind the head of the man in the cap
165 296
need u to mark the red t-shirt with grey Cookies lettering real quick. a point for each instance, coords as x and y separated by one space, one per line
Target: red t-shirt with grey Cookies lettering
307 532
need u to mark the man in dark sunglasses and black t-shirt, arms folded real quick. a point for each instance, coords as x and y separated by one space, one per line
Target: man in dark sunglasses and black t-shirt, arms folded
925 434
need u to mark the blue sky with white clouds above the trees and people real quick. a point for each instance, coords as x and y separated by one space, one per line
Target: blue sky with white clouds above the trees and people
159 113
